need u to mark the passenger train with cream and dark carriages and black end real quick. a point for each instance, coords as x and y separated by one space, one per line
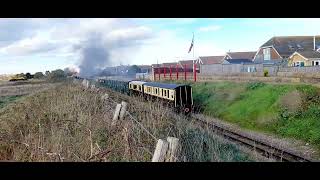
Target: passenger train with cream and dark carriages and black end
178 96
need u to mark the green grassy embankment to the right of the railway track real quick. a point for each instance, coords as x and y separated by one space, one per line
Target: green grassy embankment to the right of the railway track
285 110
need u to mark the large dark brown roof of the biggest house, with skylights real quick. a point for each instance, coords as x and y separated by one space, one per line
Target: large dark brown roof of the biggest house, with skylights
286 45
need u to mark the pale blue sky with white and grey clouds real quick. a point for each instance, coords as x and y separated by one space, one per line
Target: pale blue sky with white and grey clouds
33 45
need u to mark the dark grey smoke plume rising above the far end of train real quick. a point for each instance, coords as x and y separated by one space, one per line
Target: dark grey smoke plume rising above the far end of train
94 55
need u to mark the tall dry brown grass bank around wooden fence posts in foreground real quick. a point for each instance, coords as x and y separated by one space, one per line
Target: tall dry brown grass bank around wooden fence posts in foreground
68 123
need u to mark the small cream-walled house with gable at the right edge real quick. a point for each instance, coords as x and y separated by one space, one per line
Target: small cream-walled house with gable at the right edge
304 58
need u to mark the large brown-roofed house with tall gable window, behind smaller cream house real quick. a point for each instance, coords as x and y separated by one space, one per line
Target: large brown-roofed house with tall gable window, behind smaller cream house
280 48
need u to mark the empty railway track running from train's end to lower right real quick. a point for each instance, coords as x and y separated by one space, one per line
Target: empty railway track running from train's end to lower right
263 148
